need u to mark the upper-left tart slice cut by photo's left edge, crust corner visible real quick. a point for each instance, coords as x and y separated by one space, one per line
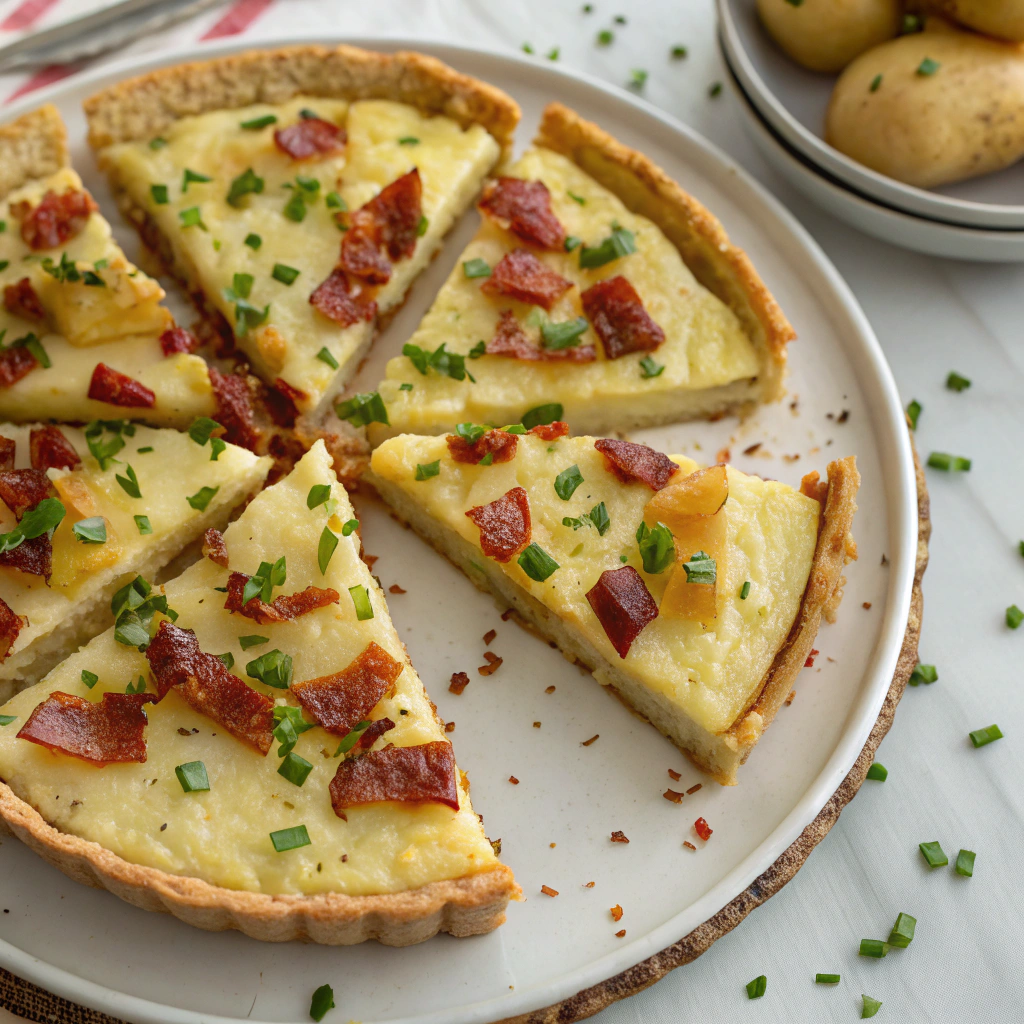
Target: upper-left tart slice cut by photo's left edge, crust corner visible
83 335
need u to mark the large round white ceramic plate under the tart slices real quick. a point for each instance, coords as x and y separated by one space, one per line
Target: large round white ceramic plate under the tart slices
90 947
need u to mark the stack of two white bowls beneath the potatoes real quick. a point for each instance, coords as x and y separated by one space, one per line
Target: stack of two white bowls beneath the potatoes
785 108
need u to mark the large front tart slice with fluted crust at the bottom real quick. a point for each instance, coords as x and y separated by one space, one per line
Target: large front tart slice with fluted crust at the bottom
290 778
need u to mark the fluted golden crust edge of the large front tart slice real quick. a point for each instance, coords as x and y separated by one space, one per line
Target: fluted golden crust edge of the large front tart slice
471 906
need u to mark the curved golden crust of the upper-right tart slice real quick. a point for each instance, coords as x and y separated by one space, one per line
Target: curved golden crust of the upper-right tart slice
722 268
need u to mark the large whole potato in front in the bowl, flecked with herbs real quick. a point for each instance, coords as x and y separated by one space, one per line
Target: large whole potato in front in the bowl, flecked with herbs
965 119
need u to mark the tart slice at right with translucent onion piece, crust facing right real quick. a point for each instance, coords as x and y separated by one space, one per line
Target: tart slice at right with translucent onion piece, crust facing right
695 593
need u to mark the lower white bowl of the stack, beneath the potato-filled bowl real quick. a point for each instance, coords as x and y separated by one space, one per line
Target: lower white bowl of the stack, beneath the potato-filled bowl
903 230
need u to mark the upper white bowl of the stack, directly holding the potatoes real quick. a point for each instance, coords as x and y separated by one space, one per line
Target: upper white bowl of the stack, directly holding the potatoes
794 101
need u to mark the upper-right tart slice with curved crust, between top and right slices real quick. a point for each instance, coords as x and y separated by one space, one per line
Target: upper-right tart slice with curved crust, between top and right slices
596 282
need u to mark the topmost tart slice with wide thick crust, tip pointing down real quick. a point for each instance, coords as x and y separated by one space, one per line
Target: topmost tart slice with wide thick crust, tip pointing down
298 193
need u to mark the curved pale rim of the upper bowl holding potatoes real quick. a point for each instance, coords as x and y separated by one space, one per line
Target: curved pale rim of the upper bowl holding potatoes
880 187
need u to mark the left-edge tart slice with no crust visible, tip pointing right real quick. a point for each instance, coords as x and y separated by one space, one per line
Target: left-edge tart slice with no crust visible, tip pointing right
83 510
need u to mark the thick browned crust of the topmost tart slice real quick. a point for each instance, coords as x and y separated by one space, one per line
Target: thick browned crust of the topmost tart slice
144 107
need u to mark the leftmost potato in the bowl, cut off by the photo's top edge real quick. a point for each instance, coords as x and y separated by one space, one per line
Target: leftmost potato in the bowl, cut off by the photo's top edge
827 35
